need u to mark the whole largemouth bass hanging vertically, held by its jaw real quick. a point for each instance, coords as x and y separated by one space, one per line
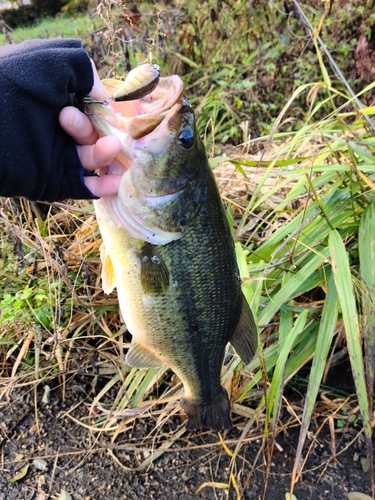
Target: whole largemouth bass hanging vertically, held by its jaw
168 249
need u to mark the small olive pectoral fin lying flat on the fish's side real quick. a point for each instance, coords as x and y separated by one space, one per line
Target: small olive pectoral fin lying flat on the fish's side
154 272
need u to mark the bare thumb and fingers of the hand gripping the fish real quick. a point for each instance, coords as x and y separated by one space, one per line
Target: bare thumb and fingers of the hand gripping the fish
94 152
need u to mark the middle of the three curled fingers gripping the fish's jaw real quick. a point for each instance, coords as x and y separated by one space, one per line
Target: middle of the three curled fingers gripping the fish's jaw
100 154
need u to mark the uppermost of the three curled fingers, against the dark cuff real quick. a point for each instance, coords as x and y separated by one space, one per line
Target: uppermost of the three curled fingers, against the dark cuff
77 125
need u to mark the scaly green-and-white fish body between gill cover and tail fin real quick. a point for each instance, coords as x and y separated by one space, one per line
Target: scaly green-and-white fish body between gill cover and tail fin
189 325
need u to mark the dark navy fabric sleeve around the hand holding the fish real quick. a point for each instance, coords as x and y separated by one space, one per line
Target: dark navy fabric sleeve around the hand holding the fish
38 78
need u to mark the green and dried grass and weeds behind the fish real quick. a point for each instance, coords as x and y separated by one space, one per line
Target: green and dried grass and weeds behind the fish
293 150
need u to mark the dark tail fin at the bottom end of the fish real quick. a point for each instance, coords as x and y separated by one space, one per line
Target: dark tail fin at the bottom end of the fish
214 415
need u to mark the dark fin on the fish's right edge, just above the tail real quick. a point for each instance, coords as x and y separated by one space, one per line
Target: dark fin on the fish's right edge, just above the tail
244 339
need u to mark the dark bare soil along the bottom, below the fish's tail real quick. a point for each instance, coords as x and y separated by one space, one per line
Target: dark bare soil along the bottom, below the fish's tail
84 465
